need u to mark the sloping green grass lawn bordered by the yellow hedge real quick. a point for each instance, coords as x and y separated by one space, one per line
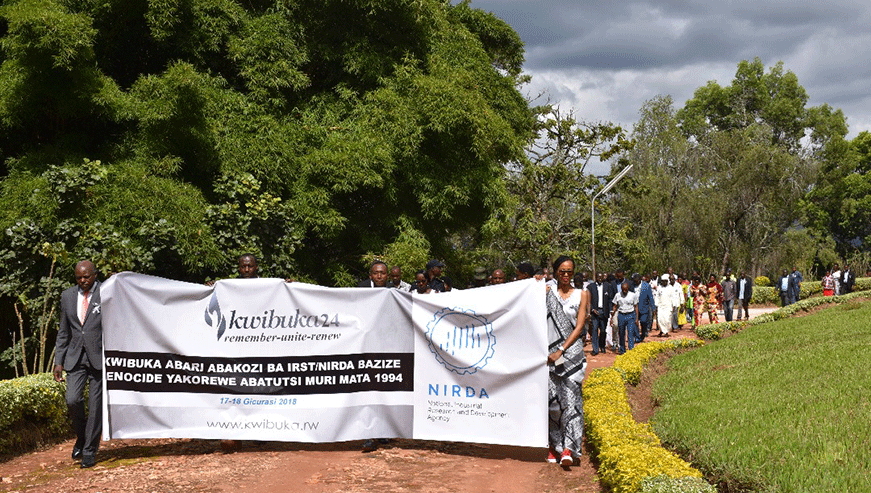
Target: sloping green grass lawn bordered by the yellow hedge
784 406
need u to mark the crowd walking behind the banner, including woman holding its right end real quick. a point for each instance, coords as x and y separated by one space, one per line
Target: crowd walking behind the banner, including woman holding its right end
608 310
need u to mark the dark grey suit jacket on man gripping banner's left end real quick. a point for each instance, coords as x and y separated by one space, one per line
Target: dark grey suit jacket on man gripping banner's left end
72 337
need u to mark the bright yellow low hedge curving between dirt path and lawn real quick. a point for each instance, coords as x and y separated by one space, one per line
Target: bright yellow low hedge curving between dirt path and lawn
631 457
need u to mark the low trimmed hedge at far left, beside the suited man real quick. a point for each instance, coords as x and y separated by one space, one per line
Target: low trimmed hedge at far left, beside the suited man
34 411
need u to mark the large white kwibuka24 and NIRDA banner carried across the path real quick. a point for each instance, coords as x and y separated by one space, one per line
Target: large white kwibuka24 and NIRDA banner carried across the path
262 359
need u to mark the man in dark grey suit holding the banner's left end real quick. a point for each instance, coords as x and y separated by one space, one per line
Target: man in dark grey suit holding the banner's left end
79 351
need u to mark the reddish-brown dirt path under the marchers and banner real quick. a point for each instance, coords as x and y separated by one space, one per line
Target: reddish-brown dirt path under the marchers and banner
267 467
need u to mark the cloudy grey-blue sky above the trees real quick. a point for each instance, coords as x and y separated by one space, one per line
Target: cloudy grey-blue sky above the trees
605 58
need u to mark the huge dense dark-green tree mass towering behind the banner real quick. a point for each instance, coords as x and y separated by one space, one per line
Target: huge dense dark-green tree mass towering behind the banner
170 137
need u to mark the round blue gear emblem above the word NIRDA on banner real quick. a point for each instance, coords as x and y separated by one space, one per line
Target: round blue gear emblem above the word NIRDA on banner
461 340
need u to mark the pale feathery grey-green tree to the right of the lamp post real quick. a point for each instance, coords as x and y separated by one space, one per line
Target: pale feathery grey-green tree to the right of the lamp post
717 197
